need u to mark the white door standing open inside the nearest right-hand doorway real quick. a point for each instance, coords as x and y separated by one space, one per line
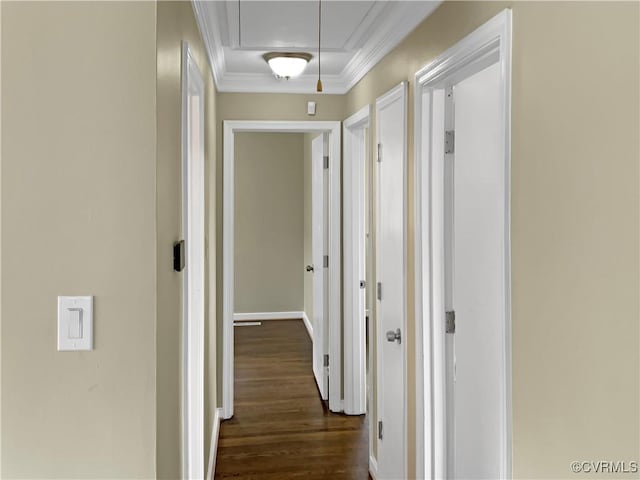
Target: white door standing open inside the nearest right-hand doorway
475 277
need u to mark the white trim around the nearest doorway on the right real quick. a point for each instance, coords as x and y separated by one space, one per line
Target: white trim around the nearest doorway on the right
488 44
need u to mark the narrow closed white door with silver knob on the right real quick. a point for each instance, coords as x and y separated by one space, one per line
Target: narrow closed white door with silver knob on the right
390 282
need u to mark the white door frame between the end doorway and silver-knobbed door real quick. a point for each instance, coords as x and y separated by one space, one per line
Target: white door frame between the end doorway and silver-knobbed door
354 209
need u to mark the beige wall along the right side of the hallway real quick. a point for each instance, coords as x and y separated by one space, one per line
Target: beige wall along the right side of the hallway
575 152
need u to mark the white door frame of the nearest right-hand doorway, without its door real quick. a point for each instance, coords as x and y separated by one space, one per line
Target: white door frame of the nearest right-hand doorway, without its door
487 45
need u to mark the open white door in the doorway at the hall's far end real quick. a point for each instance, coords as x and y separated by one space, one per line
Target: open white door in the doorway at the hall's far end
319 214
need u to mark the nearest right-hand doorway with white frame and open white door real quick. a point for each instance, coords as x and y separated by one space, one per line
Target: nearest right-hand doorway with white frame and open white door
462 148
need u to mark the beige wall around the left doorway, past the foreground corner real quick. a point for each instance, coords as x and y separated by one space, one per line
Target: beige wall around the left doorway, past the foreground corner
176 23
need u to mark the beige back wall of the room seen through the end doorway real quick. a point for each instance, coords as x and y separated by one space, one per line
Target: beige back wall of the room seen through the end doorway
269 229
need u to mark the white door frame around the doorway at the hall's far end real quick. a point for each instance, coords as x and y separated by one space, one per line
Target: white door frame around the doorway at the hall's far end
327 336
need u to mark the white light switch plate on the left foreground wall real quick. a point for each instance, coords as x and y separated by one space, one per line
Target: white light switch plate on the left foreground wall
75 323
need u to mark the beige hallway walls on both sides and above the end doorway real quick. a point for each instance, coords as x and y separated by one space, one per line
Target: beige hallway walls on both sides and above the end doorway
104 217
